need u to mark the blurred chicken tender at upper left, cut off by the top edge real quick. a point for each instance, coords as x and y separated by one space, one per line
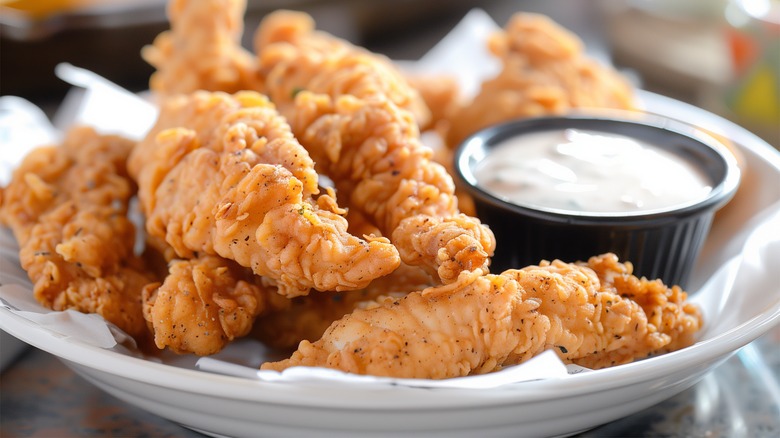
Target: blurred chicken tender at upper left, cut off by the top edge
202 50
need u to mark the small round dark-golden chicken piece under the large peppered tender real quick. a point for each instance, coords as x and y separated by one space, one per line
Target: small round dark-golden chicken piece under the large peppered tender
203 304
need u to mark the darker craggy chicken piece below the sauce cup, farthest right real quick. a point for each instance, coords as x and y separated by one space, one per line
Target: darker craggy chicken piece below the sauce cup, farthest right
600 315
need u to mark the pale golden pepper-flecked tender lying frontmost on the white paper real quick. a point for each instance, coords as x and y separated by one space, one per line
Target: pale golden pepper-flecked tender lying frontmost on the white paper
467 327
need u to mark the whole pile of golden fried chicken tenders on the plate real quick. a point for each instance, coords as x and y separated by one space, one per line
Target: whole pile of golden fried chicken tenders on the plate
287 196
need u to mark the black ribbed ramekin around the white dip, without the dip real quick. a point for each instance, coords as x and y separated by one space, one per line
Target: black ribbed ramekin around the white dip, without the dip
660 244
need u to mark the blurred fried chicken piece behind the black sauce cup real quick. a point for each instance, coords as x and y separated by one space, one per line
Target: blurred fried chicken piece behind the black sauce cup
545 71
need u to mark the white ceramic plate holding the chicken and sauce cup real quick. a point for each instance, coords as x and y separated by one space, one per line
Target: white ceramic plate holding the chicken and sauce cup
225 405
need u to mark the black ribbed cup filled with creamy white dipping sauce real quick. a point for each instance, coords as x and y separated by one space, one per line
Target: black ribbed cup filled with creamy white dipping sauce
642 186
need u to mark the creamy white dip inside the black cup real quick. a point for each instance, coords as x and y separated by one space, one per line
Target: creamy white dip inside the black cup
584 171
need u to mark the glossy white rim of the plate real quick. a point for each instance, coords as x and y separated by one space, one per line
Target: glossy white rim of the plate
712 350
